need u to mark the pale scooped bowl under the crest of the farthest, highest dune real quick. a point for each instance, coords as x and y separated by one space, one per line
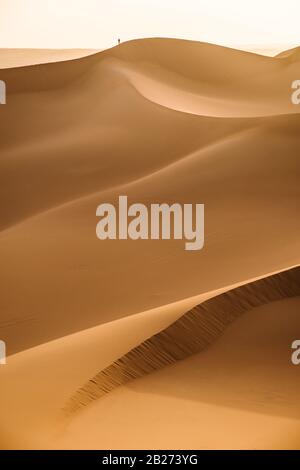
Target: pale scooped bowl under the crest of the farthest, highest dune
207 80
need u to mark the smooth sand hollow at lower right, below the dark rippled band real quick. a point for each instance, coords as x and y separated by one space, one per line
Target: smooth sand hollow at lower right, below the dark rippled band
241 393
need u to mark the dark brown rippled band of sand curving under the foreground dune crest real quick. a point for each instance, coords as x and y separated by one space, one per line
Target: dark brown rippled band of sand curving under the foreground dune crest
192 333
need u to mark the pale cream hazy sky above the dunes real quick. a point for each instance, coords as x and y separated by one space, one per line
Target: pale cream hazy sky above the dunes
98 23
